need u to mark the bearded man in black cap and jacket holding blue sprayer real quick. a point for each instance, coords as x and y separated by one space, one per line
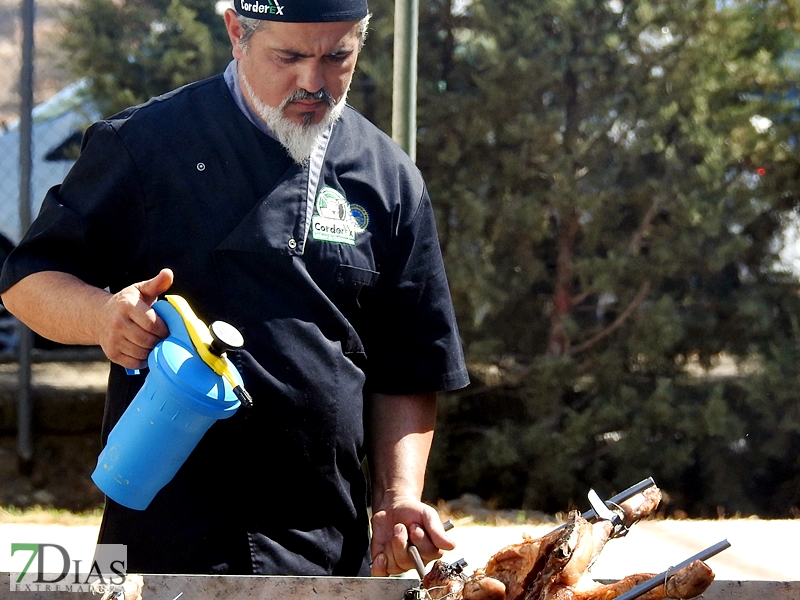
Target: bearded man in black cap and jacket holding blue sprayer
265 201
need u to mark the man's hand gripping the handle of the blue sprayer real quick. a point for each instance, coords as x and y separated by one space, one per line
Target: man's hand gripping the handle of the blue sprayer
130 327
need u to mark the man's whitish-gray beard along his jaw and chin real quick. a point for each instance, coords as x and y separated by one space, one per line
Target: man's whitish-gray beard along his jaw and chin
299 140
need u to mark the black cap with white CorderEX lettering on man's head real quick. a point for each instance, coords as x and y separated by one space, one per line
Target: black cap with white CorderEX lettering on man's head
303 11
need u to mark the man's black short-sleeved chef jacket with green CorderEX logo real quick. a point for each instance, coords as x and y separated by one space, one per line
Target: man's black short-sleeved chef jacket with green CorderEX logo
332 272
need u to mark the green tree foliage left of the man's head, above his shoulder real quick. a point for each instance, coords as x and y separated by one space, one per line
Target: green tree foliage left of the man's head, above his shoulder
137 49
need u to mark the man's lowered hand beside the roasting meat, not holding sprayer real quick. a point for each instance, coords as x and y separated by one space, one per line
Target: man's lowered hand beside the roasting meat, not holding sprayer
392 529
